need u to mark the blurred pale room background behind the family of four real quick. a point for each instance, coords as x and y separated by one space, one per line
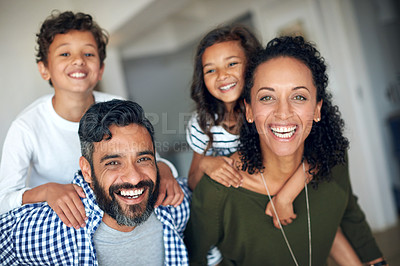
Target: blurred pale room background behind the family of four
150 58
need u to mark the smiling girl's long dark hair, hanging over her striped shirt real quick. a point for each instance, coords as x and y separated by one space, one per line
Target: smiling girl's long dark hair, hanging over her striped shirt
207 106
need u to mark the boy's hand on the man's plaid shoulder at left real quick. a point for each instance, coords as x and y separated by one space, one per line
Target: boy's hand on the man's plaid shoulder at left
65 201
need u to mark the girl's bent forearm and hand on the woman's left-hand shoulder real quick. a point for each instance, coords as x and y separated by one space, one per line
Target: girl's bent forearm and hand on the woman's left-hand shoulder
220 169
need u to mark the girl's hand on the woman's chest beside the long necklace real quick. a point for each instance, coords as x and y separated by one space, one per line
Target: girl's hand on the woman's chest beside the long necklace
284 210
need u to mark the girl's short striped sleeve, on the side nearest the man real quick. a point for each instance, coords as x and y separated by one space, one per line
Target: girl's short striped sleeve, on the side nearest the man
195 136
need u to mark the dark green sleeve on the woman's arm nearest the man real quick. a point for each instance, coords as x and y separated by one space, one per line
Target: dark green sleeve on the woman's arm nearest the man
205 223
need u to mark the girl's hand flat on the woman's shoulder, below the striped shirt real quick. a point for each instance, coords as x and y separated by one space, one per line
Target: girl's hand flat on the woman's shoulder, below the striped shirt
222 170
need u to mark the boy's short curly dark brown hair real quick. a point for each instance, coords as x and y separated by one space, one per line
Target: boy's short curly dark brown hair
61 23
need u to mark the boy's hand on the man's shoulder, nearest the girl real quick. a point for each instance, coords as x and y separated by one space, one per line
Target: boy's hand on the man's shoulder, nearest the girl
170 192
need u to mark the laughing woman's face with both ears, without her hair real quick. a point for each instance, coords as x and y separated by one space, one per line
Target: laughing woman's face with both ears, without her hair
283 105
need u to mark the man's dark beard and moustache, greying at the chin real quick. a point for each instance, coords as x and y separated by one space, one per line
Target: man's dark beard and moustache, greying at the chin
132 215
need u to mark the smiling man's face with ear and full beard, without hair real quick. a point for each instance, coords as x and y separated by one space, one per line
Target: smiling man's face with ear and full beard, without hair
124 175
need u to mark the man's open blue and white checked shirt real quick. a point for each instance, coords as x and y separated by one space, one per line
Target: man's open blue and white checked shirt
34 235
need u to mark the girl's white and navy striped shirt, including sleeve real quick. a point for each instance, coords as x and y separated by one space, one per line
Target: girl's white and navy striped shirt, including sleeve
224 143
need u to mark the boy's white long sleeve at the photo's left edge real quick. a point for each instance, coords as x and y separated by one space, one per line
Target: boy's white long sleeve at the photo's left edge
14 166
